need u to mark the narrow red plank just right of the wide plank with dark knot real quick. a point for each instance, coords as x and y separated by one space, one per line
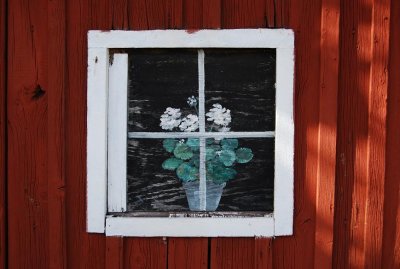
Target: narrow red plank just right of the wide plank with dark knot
56 134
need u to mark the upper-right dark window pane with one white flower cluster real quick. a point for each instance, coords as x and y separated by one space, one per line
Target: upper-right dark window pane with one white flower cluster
240 89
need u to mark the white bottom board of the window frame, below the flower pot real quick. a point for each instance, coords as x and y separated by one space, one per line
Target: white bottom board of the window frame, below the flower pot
190 227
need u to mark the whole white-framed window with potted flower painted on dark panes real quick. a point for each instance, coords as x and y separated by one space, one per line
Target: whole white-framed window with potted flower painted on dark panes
190 134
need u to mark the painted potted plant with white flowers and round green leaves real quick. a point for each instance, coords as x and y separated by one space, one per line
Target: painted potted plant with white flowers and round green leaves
222 155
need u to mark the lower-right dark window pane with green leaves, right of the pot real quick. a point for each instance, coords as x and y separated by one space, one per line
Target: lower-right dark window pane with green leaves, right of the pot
245 168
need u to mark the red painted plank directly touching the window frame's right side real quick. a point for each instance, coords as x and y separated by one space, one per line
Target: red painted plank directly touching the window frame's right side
305 19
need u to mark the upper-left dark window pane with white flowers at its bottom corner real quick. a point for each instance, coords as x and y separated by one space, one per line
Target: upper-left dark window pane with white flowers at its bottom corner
160 83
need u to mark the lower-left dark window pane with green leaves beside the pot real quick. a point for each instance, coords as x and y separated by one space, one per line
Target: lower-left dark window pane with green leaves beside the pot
153 183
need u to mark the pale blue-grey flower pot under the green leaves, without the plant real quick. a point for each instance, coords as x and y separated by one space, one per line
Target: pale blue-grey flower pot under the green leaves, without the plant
213 195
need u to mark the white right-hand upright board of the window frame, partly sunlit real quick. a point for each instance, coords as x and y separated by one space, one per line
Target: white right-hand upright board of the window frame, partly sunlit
284 143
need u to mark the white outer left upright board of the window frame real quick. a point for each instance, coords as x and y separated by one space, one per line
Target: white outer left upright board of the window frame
97 139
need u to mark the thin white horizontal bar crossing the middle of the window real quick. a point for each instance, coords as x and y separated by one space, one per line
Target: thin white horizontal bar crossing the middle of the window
201 134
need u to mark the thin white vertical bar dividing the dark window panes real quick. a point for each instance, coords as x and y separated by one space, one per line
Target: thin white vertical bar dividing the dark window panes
202 168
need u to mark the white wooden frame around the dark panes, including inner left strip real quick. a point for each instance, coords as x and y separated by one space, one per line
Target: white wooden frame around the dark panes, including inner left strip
107 139
